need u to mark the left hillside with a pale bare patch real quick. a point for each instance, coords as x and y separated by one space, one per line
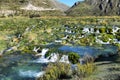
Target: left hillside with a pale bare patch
46 6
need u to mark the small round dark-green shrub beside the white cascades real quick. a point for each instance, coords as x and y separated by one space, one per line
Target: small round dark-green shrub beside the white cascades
73 57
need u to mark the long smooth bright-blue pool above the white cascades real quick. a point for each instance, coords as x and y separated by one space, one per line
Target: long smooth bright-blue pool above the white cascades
105 50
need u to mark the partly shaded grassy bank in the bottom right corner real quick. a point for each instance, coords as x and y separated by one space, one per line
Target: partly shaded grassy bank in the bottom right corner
106 69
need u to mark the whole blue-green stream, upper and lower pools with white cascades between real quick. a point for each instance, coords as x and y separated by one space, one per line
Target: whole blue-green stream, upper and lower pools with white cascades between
25 67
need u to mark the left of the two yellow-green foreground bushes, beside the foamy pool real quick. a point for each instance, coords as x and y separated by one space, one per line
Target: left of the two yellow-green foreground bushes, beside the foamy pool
56 71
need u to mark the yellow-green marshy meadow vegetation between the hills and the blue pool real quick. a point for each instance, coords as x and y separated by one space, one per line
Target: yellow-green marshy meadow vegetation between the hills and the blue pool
30 32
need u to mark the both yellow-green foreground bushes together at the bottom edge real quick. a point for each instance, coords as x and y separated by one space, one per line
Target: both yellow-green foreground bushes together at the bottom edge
63 71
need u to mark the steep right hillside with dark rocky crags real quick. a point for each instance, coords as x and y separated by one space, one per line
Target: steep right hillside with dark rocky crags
95 8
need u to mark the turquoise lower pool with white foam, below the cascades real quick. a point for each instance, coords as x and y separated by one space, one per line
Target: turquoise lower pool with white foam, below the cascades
19 67
